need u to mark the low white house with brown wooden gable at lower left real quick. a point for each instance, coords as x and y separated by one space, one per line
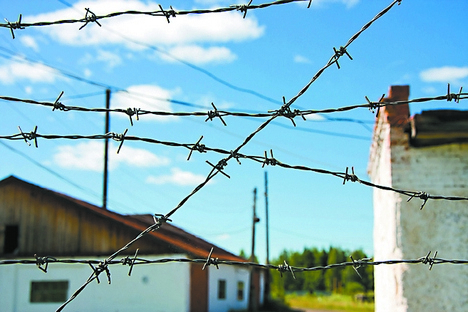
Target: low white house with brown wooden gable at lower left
35 220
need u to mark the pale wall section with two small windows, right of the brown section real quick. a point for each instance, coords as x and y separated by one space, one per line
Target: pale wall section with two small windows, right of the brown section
232 274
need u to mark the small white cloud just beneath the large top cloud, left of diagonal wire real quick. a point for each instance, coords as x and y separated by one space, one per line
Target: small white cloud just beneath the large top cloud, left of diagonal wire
198 55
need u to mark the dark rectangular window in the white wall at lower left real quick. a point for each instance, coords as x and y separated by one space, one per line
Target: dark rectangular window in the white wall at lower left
49 291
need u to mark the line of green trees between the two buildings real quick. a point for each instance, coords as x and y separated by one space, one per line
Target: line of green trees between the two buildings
338 280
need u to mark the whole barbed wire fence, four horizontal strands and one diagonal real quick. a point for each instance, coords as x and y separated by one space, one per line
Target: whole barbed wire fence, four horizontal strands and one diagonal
100 266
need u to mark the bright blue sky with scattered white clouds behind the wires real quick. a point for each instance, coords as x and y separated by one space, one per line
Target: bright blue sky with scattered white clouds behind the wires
274 52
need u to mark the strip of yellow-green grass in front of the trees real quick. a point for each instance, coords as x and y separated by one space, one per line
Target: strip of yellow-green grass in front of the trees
332 302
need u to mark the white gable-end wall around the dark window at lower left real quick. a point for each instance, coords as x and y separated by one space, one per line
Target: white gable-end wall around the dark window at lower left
154 287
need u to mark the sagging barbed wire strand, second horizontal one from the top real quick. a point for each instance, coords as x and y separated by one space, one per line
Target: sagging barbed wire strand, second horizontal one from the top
211 114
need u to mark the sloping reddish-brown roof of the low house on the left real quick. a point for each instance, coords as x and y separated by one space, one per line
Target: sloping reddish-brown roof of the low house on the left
188 243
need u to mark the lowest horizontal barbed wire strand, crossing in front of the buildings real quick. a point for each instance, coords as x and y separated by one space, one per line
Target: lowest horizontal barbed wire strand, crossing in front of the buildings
43 263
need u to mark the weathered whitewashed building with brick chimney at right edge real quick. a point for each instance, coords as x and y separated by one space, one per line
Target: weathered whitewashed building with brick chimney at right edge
427 152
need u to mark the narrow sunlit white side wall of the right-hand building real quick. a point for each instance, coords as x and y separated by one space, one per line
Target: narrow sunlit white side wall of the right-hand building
387 207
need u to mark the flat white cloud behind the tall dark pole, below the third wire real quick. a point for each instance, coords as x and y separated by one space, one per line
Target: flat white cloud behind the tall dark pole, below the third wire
90 156
